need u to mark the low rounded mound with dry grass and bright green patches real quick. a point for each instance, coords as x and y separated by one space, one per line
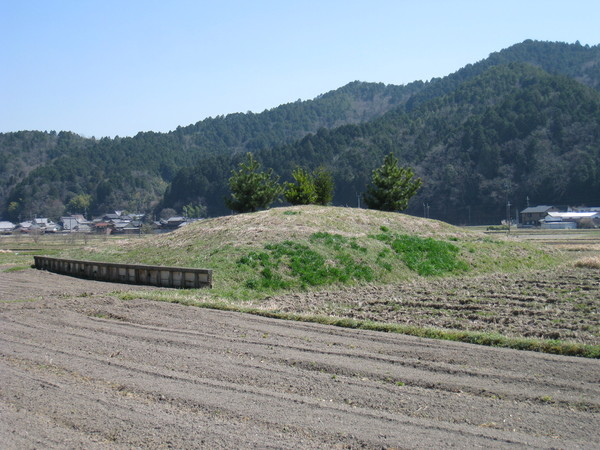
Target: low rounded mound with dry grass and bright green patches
309 247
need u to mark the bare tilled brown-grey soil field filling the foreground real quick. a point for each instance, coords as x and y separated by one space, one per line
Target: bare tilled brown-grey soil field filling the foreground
82 369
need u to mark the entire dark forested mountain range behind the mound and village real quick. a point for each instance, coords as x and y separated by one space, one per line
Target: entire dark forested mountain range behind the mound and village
522 125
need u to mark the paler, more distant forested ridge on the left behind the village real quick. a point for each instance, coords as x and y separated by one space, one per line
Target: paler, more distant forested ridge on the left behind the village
40 171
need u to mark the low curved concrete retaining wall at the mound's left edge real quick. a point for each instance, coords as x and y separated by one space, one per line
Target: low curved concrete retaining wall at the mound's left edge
176 277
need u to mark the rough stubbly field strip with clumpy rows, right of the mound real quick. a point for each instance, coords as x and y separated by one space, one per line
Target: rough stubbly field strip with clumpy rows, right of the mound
563 303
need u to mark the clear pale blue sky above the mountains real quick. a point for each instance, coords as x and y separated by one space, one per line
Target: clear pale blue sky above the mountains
117 67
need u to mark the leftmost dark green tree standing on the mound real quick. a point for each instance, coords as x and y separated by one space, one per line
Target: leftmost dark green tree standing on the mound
251 188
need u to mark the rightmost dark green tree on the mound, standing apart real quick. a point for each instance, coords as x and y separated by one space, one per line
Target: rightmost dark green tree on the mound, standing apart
391 186
